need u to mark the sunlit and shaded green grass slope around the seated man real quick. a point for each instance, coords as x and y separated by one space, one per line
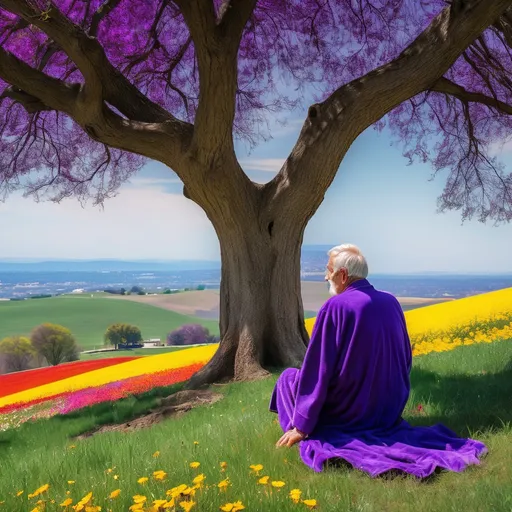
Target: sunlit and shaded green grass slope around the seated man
468 390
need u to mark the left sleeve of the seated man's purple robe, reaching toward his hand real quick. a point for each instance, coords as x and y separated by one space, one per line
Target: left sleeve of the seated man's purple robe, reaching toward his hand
316 372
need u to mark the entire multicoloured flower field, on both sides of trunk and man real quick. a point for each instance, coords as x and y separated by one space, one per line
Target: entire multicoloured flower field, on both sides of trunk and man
59 390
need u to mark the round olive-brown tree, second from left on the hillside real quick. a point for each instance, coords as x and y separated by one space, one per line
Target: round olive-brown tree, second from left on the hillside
55 343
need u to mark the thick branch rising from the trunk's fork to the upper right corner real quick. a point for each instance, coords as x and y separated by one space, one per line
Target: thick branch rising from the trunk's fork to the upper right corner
333 125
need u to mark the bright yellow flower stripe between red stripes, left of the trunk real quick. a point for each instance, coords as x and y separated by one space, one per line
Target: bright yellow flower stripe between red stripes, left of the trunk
141 366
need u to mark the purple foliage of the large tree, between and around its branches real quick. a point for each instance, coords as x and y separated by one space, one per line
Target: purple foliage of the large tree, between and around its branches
312 44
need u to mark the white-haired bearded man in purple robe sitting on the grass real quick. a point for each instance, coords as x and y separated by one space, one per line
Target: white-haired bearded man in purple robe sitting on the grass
346 401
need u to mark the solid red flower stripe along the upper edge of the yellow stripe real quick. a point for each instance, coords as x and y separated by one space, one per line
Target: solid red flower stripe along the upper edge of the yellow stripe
21 381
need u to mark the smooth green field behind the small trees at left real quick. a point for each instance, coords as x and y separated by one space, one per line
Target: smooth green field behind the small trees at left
88 318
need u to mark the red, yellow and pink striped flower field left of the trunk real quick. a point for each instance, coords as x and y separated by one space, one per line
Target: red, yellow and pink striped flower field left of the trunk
92 382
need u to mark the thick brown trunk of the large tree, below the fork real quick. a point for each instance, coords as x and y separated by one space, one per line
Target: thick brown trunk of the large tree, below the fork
261 312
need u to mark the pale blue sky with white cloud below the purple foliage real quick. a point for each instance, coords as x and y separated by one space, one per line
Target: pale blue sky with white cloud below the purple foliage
376 202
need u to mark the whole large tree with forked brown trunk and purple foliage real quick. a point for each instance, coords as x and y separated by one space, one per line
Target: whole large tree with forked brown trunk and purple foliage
93 89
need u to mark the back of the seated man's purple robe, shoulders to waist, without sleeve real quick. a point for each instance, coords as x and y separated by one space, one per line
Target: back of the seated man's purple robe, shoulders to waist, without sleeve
370 383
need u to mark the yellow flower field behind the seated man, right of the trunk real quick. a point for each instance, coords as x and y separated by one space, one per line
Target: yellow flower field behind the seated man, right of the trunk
481 318
